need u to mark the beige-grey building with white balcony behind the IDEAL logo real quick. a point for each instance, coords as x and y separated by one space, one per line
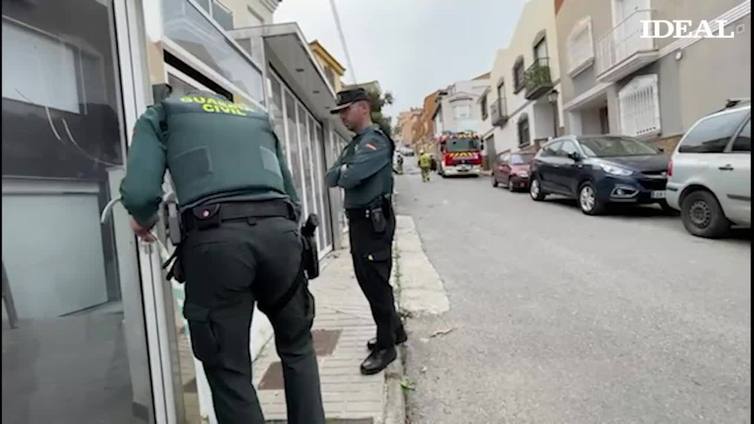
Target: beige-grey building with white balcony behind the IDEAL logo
615 81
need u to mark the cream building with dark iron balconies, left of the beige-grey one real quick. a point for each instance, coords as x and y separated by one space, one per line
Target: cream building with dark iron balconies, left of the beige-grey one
524 83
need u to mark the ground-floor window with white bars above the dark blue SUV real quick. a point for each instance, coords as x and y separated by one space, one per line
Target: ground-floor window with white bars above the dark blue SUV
639 106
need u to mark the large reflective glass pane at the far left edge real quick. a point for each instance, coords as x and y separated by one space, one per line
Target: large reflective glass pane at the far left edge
74 341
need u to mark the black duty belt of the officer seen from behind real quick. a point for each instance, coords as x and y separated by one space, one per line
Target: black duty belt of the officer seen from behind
208 216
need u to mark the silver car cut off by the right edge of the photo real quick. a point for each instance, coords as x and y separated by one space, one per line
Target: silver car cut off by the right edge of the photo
709 176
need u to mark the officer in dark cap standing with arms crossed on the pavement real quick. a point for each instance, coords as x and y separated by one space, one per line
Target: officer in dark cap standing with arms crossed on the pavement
364 170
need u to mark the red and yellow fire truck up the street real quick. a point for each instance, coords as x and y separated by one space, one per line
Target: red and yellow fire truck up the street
459 154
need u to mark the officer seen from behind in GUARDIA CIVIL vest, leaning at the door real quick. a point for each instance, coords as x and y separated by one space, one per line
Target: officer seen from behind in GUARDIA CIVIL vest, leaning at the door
241 244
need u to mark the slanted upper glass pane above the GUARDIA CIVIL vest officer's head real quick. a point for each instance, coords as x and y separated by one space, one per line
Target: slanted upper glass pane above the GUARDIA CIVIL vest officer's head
186 26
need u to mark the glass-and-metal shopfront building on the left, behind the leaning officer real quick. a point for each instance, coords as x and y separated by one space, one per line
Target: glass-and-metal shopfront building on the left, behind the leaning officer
92 330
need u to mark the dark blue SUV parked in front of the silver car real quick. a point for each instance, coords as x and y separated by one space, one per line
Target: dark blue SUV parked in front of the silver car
599 170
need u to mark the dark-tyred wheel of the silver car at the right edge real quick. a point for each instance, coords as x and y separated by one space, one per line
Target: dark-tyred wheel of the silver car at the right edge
702 215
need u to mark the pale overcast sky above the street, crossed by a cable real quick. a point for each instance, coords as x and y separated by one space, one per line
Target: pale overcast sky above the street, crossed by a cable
412 47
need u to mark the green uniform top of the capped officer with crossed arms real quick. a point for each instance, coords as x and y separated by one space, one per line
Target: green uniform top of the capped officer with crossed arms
364 169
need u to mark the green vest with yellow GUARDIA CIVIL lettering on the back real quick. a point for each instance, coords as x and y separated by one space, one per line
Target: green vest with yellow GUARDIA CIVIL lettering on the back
215 146
